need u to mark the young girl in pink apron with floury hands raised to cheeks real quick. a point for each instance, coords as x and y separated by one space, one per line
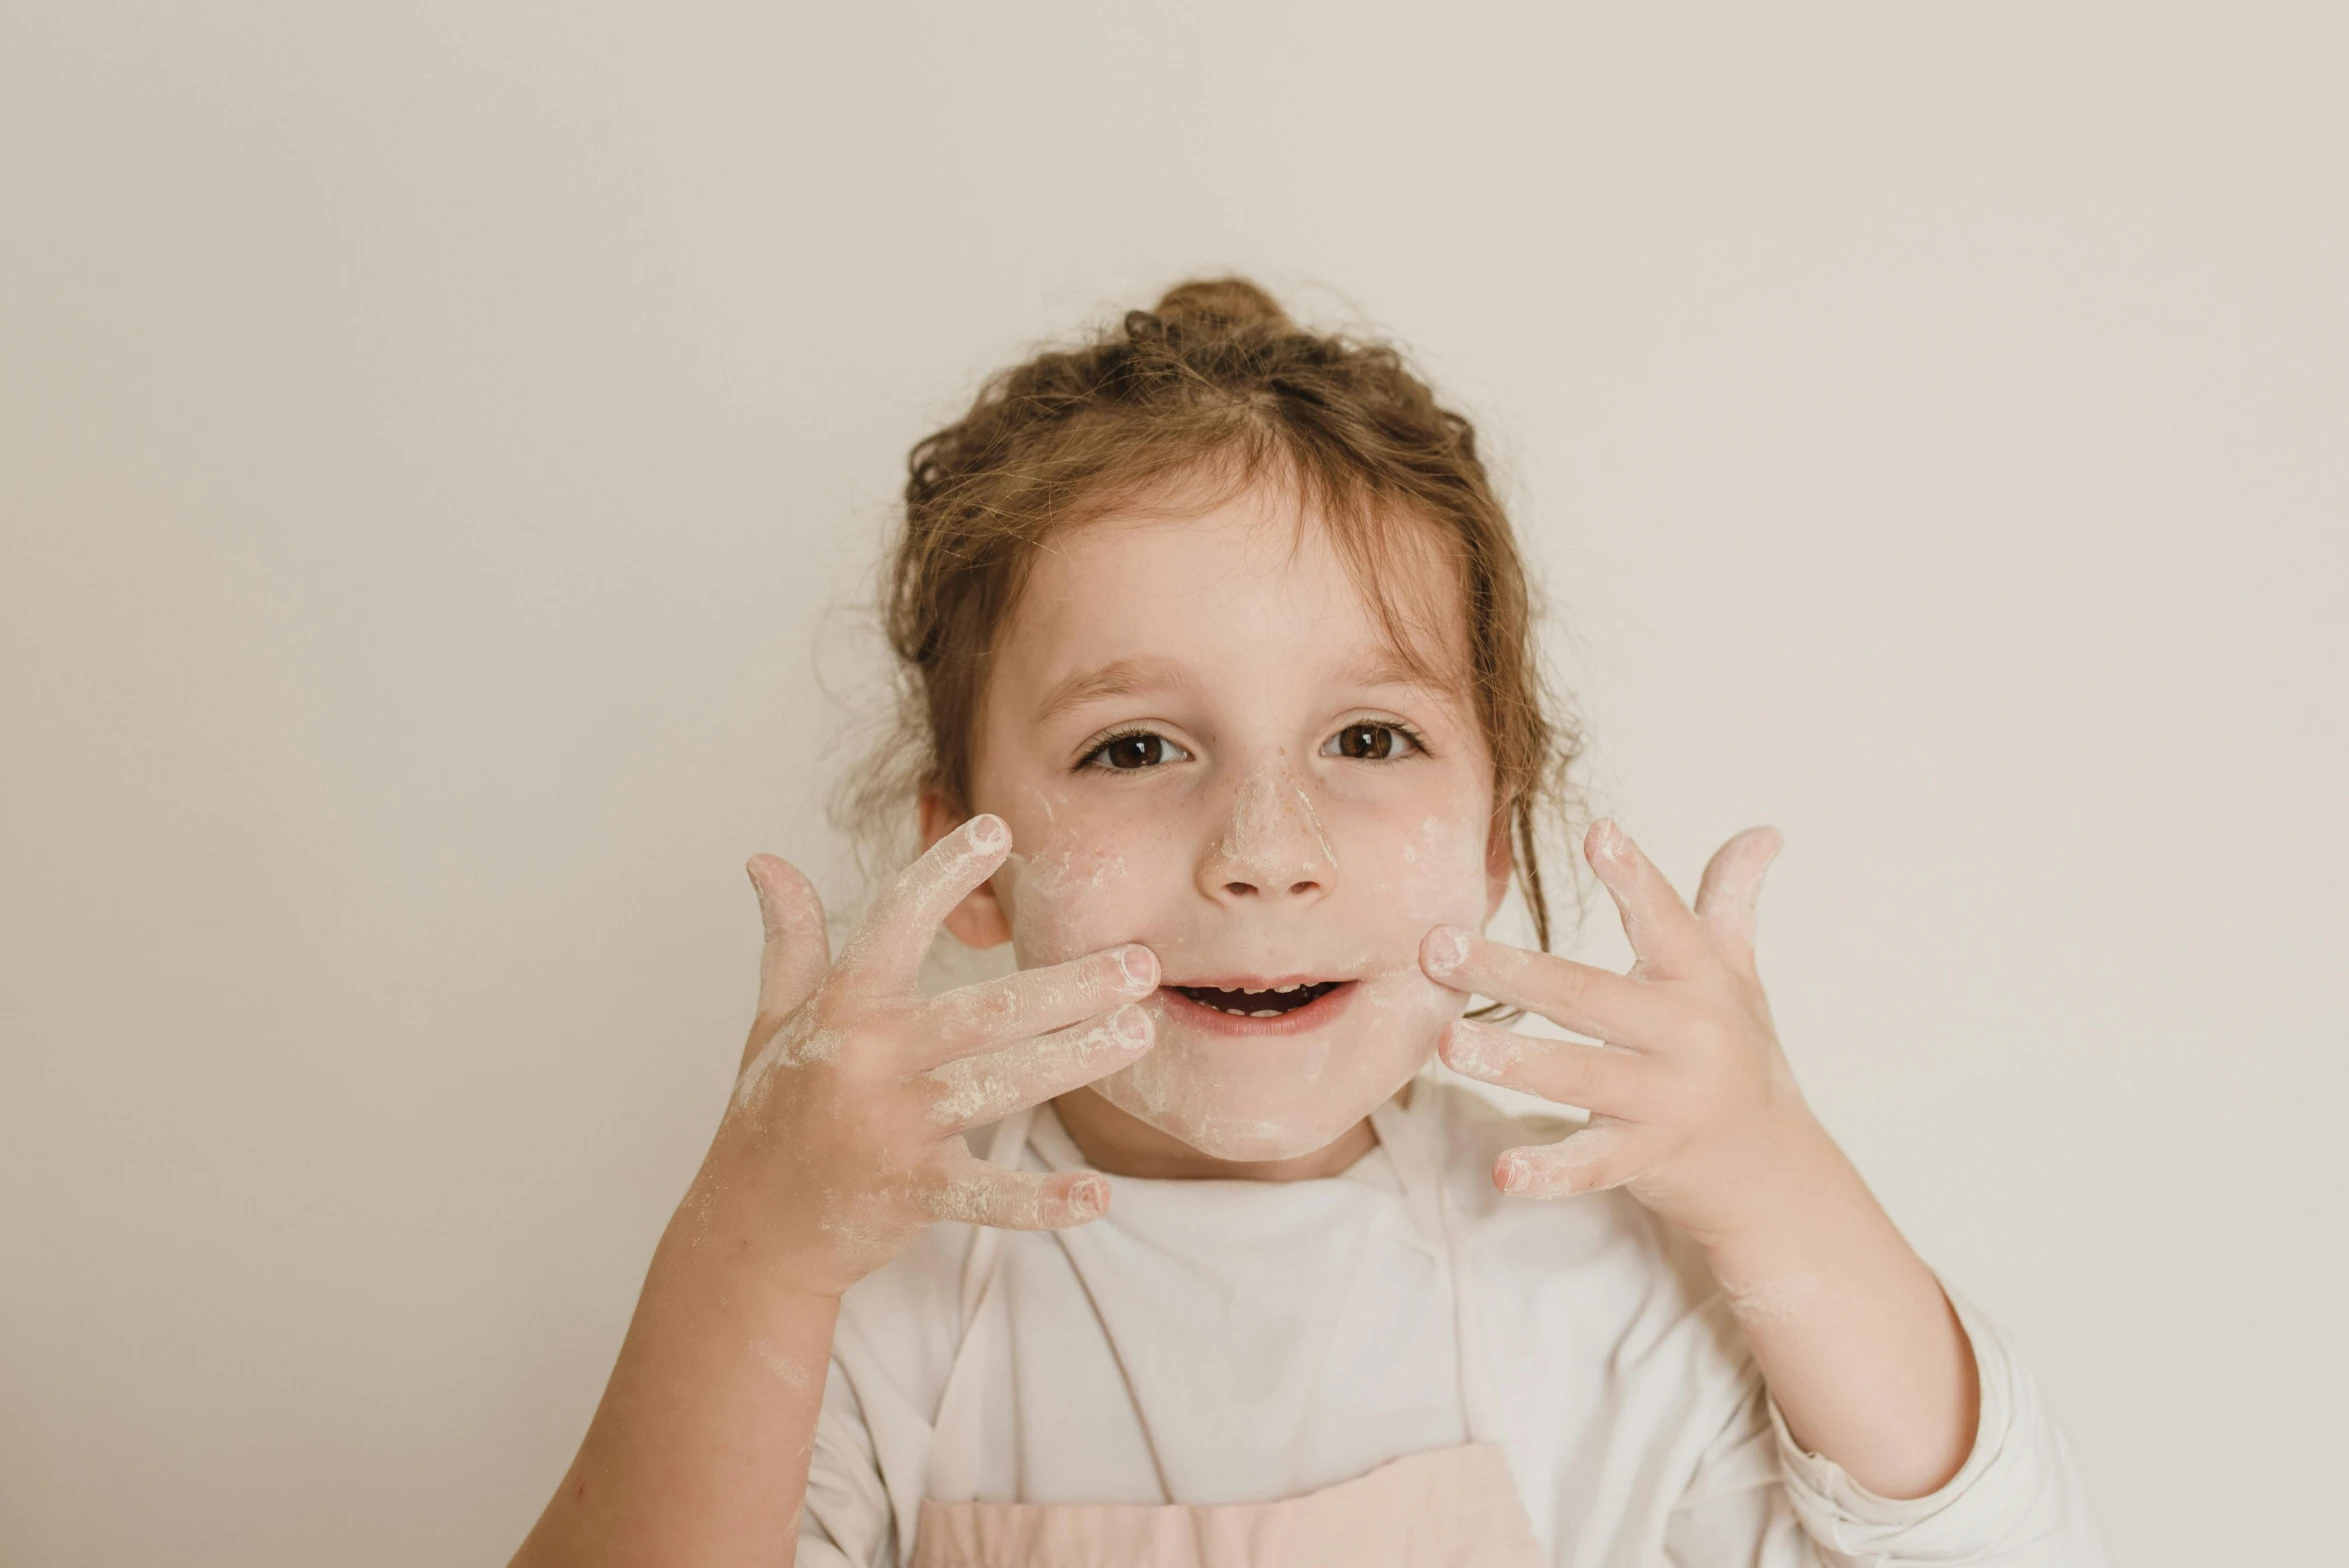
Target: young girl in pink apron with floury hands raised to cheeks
1162 1250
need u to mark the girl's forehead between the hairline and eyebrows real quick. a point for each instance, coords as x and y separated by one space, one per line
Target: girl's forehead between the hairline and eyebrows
1251 583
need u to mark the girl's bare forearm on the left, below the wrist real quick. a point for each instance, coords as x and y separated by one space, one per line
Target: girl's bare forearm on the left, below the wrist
699 1452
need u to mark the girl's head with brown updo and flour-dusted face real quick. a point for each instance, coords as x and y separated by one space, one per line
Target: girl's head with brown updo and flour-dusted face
1227 623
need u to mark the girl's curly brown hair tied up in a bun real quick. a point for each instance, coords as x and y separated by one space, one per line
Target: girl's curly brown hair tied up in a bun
1211 386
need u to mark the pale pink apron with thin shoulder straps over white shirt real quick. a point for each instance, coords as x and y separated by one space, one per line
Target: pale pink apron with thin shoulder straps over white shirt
1446 1508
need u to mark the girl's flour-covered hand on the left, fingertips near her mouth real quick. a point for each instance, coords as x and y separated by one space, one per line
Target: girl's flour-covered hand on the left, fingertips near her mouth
844 1133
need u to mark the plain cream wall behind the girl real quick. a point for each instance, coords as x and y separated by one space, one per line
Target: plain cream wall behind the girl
436 438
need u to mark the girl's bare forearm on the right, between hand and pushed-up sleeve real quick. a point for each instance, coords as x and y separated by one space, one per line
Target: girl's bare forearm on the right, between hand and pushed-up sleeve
1852 1330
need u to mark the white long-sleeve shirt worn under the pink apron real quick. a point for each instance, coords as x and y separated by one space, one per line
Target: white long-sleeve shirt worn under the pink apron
1225 1341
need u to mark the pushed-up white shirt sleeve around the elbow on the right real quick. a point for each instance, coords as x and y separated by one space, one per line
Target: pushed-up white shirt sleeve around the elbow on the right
1761 1501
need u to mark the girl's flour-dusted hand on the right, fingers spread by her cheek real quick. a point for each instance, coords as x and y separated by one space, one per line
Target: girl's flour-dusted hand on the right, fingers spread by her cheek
1692 1104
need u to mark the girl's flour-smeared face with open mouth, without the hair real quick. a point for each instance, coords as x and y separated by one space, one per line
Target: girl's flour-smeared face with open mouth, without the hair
1204 743
